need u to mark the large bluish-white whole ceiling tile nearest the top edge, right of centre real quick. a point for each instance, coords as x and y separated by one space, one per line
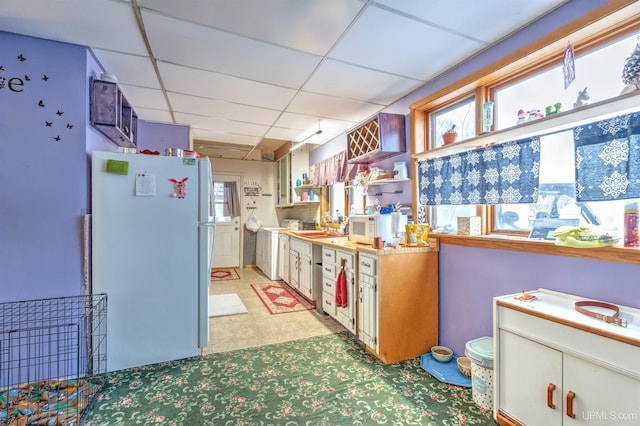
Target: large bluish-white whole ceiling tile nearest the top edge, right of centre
373 42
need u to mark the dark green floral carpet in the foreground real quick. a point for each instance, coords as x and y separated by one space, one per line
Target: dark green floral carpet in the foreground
325 380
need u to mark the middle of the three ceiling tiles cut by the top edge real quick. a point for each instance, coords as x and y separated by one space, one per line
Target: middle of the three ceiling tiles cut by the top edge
311 26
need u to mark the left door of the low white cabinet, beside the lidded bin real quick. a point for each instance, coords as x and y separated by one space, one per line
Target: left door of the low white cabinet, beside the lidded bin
526 370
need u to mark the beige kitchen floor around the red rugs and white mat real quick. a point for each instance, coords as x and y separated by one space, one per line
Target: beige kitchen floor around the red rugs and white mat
259 327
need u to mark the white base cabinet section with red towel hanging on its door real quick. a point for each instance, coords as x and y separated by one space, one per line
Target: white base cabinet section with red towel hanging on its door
331 261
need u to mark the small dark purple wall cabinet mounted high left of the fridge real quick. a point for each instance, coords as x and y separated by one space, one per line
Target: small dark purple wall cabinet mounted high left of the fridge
112 115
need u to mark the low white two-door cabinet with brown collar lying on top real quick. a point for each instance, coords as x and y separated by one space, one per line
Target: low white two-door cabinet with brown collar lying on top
555 366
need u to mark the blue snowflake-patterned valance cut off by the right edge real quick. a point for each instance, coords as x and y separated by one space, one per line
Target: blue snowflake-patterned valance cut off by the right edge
608 159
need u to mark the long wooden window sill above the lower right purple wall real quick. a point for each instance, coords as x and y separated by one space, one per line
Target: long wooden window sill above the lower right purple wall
610 254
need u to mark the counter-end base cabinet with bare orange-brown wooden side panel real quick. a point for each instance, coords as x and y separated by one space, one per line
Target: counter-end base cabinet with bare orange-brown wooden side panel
398 301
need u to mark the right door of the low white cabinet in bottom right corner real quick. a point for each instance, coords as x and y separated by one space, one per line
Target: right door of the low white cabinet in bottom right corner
602 396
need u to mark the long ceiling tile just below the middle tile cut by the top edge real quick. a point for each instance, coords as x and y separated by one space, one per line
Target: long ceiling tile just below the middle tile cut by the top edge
209 49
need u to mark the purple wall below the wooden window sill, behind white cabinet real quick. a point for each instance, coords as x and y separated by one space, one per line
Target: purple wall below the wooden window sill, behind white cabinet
470 277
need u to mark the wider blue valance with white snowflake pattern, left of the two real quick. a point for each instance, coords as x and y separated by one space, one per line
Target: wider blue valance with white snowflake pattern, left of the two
505 173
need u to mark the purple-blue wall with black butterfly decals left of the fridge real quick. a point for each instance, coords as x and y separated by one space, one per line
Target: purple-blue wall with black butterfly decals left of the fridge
44 191
